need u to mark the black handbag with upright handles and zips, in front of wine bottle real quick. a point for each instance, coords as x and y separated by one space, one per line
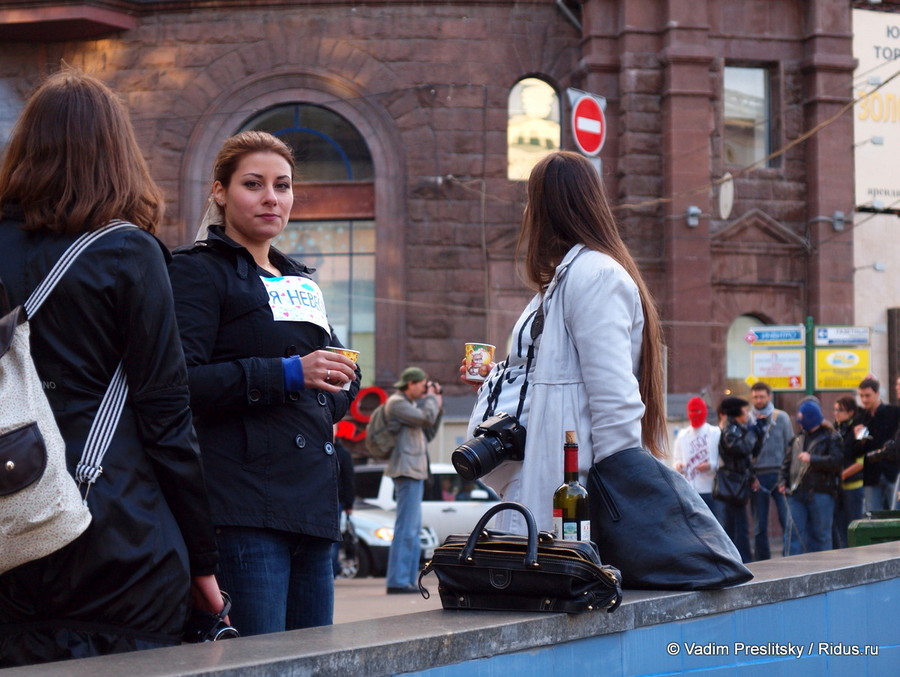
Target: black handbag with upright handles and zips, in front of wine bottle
505 572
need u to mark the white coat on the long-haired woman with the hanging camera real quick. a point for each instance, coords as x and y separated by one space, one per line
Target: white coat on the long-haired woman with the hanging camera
584 378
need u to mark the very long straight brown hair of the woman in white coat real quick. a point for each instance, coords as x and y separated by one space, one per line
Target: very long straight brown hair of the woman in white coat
567 205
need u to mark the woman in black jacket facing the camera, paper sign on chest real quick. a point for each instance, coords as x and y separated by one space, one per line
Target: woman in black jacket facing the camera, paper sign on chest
265 394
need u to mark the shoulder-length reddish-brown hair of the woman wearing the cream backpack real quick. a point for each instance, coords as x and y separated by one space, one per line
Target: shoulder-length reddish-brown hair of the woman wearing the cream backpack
73 163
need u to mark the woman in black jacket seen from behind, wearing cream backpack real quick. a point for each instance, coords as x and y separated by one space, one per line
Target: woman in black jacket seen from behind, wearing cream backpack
72 165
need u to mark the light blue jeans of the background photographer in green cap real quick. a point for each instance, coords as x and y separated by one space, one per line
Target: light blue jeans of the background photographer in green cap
403 558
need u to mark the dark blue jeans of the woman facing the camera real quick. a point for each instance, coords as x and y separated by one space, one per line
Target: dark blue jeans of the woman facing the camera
277 580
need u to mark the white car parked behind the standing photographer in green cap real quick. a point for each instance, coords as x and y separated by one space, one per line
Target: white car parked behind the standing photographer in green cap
451 505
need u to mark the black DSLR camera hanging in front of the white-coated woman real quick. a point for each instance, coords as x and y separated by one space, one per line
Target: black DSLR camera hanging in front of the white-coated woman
500 438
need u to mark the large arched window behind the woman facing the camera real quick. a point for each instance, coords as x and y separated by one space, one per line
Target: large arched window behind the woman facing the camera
332 226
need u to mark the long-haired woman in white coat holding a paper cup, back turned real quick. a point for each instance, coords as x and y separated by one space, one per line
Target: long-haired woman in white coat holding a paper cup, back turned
598 364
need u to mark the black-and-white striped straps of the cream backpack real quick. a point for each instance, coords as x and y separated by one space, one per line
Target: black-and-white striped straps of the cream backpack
105 422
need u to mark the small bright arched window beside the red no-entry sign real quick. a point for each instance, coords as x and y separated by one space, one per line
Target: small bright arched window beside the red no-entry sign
533 129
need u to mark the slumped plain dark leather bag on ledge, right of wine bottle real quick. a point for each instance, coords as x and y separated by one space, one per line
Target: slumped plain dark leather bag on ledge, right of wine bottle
650 523
